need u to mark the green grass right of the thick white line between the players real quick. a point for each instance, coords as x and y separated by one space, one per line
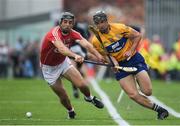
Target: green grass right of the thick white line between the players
168 93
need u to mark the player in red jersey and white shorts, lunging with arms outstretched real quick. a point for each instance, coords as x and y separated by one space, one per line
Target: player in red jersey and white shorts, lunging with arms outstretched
56 64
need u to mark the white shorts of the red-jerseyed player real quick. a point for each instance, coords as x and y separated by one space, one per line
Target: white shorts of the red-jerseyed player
52 73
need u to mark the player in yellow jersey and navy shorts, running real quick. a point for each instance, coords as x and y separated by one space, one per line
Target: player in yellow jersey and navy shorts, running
121 42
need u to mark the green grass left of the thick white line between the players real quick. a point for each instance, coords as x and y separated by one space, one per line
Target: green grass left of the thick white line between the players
20 96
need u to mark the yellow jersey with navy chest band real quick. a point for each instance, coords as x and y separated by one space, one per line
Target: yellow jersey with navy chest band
115 42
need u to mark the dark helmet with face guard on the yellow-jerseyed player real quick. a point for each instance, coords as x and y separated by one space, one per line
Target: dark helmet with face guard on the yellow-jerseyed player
99 17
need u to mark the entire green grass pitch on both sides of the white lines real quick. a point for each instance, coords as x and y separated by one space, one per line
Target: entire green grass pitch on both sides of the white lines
20 96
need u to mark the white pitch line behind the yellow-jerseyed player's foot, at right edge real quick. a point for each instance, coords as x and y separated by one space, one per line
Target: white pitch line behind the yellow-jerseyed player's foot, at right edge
170 110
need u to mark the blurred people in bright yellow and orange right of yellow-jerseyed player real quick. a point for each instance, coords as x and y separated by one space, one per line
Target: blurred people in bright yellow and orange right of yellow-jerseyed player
163 63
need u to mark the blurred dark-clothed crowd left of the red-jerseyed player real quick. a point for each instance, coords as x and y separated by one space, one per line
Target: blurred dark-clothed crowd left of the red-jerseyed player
21 61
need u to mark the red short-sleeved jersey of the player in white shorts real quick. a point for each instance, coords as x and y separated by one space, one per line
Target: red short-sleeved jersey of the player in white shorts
49 53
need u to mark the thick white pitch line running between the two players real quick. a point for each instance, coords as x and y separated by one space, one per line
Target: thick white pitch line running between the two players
111 109
